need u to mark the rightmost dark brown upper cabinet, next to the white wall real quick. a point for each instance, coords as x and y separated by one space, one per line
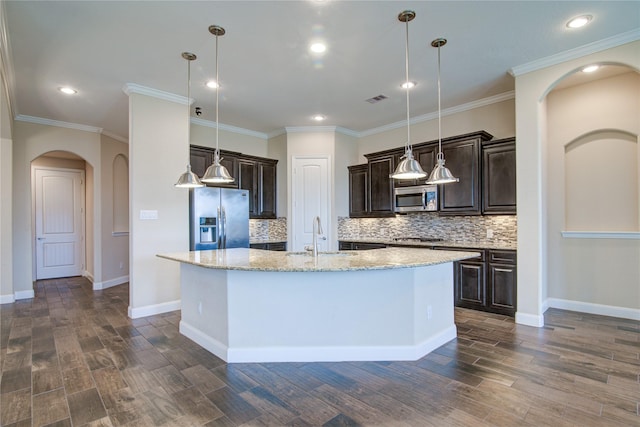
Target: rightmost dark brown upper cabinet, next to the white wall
499 177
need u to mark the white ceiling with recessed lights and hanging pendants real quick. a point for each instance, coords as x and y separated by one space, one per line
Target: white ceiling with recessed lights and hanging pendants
269 78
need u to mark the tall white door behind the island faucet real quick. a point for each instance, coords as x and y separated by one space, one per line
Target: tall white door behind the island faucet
310 189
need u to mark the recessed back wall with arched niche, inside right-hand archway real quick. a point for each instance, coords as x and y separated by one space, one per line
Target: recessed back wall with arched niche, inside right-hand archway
593 185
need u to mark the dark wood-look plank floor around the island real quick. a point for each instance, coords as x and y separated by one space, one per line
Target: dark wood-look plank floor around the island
71 357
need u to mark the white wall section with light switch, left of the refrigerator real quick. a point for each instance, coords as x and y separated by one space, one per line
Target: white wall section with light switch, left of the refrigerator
158 151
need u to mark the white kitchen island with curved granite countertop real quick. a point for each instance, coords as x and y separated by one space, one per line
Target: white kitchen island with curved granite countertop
250 305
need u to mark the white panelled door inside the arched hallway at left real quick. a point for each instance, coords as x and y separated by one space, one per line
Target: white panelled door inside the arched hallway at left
59 210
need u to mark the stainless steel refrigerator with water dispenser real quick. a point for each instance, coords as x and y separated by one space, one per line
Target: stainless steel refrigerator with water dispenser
219 218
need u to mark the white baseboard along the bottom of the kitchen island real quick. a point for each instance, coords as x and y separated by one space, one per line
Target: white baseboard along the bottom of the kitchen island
316 354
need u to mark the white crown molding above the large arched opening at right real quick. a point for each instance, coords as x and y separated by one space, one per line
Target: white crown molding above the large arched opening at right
571 54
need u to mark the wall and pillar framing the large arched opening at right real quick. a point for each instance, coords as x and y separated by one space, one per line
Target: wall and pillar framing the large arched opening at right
534 209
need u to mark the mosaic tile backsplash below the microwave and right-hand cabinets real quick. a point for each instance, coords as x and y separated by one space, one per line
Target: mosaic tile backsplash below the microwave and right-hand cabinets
462 229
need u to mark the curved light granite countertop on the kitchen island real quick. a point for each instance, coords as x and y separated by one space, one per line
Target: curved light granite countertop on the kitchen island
259 260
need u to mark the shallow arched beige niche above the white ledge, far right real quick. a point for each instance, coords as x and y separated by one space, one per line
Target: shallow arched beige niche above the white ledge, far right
601 182
